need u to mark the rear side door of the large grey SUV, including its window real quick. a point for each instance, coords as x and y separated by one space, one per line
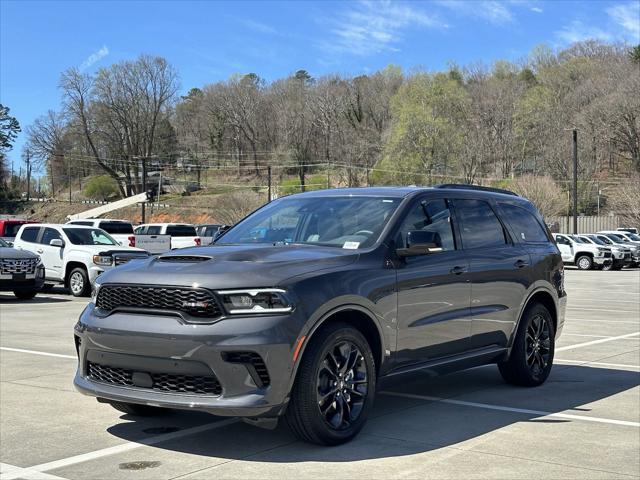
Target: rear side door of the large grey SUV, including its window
499 270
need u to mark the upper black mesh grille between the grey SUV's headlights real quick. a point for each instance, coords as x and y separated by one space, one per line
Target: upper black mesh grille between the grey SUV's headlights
195 304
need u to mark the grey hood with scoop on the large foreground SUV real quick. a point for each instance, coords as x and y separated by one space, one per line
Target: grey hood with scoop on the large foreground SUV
233 266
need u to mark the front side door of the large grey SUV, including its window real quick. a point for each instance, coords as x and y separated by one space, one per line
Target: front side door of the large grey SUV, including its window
433 290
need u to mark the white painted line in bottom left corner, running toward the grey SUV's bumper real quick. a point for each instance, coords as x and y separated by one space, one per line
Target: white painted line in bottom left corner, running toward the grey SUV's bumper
125 447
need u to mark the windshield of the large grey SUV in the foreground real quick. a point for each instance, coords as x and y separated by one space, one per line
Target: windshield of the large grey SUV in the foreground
342 222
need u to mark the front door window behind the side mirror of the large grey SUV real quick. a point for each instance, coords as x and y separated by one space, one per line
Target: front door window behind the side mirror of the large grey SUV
433 216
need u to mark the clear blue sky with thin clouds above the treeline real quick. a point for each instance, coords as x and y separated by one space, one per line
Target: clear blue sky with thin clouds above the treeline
209 41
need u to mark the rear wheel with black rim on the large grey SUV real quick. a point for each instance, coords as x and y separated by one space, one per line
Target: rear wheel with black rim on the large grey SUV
527 365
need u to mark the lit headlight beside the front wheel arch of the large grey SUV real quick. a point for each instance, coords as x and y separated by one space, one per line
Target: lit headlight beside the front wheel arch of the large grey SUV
260 300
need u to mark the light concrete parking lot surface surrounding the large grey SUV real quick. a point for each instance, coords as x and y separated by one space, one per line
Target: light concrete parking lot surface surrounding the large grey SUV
583 423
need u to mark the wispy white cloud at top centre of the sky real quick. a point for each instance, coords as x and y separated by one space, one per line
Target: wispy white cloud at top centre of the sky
370 27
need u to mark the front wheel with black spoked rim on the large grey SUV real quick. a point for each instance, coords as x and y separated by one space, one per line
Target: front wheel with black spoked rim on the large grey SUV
318 409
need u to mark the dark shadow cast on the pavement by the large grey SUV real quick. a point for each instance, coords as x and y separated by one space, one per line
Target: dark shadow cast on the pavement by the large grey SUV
400 425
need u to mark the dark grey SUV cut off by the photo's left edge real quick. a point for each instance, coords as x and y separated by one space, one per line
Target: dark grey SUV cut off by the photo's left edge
21 272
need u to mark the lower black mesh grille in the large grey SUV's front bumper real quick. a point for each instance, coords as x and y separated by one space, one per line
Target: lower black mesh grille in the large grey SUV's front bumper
162 382
